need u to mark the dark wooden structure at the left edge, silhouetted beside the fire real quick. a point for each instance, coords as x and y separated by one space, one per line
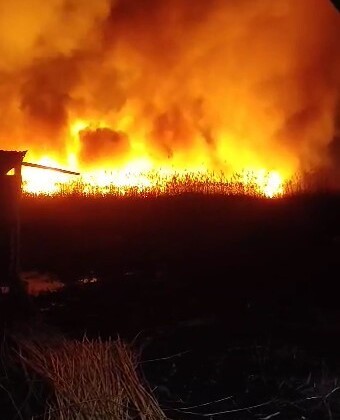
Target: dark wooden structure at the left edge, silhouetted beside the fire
10 194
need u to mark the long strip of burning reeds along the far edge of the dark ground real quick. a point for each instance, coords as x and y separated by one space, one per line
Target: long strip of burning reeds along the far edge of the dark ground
153 185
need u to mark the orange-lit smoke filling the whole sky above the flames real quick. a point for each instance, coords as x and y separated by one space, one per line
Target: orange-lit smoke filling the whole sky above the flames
223 83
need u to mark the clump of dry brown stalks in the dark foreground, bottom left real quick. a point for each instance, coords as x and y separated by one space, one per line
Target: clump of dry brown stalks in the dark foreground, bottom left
91 379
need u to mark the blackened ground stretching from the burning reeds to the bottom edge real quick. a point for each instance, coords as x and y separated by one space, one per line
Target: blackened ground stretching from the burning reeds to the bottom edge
237 296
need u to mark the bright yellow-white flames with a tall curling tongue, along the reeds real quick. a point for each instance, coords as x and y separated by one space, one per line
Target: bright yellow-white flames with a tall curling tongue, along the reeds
139 173
